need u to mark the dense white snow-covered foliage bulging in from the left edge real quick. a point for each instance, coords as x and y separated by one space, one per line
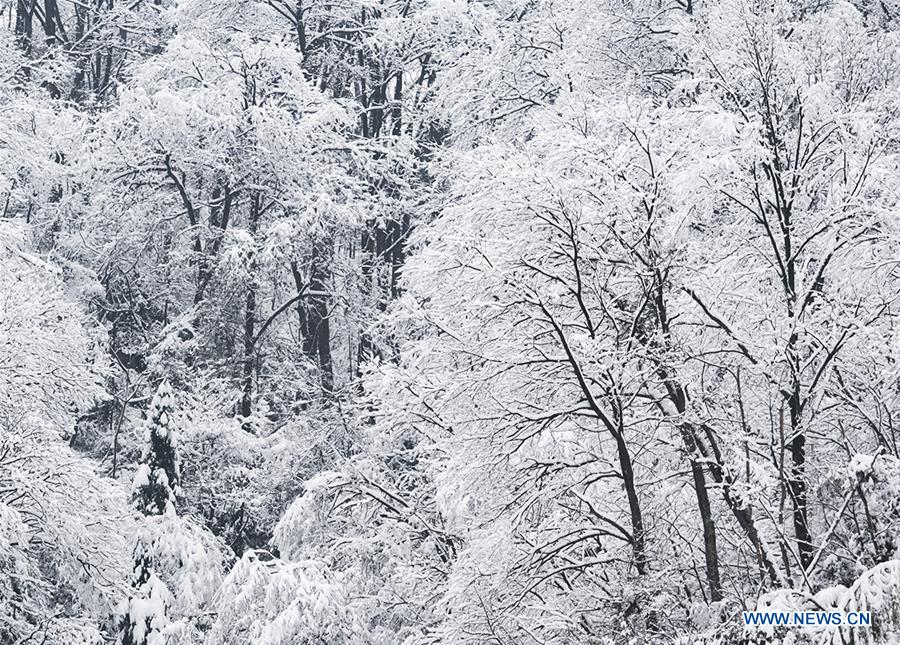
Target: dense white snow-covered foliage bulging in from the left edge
63 550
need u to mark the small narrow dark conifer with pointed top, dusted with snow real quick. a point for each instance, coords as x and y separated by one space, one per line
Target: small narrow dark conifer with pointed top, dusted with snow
156 480
